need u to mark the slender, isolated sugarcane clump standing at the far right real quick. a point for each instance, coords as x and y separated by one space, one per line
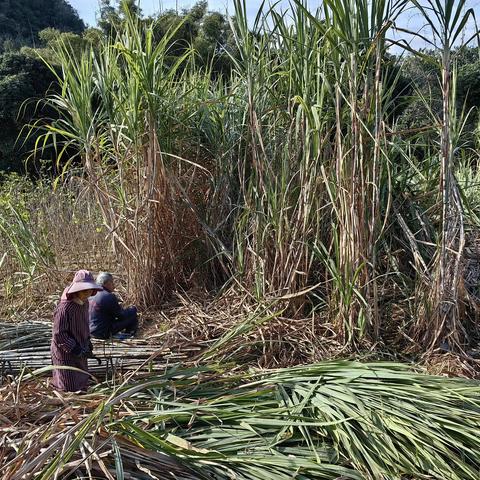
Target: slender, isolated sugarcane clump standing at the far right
447 21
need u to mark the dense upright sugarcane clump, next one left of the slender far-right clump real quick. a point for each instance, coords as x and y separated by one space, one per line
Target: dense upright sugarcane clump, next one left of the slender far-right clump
355 33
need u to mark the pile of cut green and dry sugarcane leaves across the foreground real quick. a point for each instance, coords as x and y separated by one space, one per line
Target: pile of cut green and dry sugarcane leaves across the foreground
331 420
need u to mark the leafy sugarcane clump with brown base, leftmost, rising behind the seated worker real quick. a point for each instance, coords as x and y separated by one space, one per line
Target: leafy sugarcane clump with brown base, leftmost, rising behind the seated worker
124 104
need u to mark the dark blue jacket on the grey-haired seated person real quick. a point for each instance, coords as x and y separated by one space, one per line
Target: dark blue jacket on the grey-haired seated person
104 312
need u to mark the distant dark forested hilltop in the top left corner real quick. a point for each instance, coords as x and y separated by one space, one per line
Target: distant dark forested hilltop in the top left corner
21 20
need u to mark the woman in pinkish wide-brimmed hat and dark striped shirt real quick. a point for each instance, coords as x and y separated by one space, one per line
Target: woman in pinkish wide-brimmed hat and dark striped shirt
71 344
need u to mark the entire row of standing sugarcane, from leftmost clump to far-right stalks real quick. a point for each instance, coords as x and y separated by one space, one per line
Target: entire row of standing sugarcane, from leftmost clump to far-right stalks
285 179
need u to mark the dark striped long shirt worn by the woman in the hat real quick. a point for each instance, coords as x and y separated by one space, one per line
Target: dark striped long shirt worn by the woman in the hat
70 329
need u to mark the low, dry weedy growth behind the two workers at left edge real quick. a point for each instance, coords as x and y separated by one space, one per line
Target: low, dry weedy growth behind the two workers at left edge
46 233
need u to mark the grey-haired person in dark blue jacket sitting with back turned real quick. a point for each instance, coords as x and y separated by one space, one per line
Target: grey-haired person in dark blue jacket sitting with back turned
107 317
